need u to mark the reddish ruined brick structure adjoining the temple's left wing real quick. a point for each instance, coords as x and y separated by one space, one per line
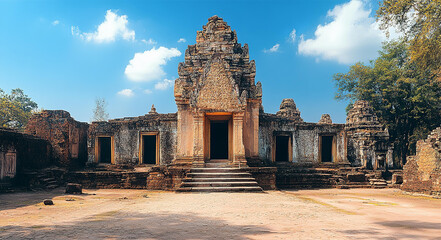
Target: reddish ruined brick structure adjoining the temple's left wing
67 136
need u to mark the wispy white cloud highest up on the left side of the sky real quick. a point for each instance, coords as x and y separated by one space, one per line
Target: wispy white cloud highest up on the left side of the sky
113 27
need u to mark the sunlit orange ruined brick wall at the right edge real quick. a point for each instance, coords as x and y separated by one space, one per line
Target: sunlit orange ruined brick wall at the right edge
422 172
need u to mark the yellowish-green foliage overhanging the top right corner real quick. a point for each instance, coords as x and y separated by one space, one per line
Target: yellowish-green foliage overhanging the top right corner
420 21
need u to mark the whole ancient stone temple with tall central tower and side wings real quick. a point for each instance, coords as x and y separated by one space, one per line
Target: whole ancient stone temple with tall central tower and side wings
221 122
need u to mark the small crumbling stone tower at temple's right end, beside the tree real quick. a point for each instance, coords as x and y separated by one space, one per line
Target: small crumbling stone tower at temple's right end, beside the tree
368 140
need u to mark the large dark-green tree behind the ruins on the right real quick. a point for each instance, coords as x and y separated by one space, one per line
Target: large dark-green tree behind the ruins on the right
405 98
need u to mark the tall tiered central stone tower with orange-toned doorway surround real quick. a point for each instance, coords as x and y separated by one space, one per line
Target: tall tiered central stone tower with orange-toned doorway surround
218 101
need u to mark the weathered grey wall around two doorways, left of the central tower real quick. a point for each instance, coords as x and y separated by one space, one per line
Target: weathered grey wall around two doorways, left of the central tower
126 136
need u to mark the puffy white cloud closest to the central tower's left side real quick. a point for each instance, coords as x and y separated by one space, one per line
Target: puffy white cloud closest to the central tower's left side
147 66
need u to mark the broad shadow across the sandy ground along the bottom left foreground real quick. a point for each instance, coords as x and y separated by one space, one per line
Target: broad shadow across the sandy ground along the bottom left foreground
131 225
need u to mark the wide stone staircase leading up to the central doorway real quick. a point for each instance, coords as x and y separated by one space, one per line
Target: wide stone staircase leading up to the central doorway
219 179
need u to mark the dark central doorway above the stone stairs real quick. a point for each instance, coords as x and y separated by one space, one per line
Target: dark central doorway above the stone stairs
219 139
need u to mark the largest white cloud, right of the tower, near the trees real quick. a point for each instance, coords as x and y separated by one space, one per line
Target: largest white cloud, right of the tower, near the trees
351 36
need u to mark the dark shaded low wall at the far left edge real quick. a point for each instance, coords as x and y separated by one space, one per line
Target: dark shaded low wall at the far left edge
20 151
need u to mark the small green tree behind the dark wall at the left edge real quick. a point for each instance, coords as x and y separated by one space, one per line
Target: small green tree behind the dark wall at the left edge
15 108
